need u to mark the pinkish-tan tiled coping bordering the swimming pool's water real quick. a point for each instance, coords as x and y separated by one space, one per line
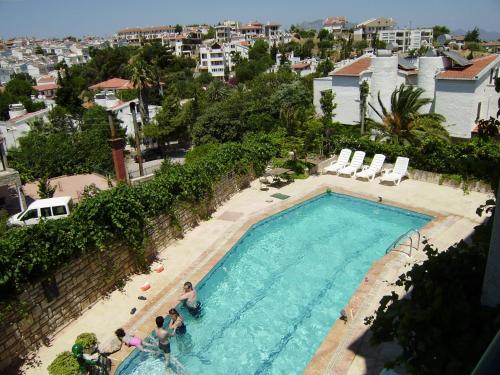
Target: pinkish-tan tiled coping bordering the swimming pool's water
143 325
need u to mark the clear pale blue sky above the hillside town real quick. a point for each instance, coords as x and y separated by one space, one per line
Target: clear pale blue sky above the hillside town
57 18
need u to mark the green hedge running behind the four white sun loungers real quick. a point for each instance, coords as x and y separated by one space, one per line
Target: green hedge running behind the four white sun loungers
473 159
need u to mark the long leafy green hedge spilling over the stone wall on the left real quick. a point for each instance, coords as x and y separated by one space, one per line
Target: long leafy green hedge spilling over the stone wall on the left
122 214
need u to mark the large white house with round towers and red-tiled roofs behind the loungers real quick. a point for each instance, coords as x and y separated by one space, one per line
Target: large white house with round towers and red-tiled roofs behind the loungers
462 91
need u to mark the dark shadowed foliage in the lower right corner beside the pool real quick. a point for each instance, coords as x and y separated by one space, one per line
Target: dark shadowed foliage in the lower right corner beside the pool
441 325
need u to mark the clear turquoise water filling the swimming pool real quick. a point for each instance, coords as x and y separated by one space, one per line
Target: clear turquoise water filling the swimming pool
270 302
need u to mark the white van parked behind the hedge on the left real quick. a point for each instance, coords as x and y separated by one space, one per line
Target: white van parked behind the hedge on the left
51 208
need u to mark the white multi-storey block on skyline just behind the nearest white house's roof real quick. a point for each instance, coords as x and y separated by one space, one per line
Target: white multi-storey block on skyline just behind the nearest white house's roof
407 39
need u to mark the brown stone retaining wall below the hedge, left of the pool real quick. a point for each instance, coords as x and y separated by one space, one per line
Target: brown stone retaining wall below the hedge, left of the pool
84 281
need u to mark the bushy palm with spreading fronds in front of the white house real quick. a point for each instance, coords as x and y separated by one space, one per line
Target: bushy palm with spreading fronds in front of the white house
404 124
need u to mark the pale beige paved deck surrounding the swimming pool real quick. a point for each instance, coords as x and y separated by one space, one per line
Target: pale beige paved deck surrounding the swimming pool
344 350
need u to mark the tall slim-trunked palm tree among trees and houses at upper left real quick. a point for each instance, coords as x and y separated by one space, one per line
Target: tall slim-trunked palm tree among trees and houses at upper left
142 77
